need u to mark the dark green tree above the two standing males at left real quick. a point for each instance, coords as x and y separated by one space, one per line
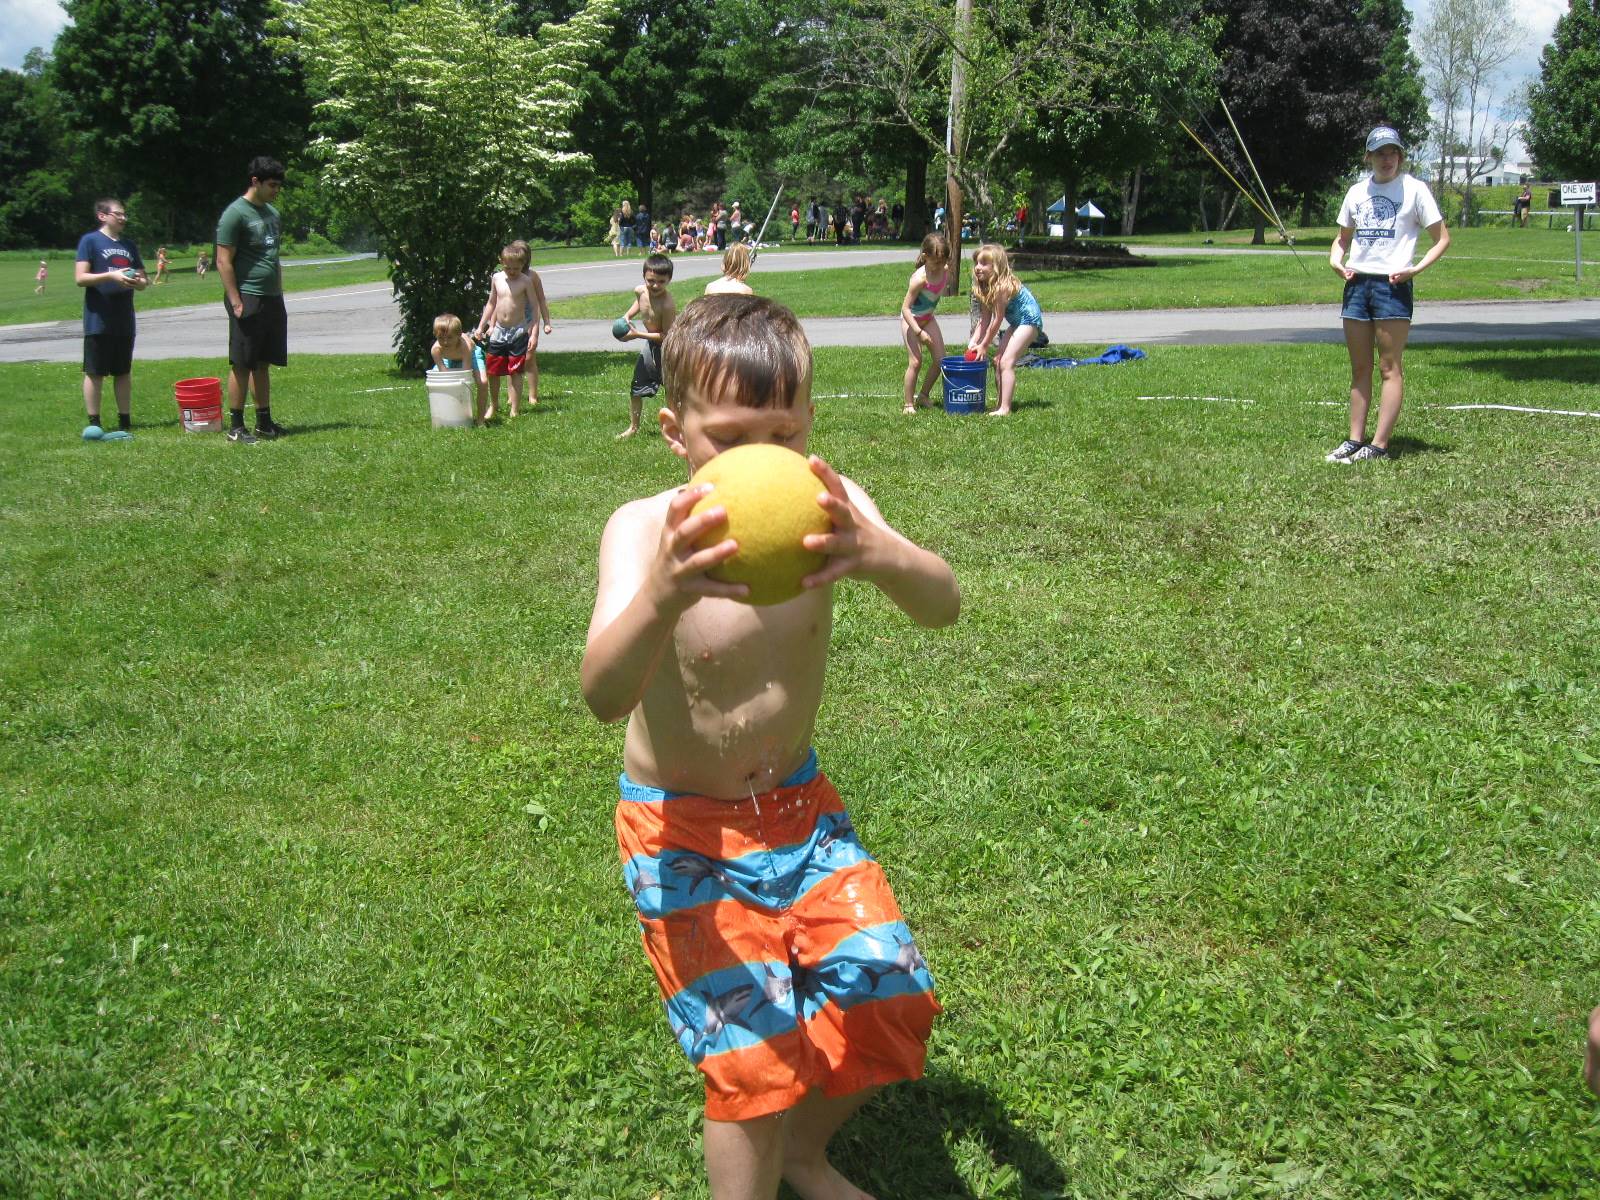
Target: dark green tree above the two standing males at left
177 97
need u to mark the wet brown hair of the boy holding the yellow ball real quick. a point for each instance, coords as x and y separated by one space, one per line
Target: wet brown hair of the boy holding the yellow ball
738 351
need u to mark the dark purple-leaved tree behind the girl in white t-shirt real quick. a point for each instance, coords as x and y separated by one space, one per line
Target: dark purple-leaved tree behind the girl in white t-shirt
1303 84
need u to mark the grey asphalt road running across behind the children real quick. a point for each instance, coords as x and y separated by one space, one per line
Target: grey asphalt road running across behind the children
362 319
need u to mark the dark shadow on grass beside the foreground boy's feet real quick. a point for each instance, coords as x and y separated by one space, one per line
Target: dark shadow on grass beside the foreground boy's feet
908 1140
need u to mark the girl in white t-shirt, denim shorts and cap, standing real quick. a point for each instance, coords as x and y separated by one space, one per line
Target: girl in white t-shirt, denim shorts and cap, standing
1378 228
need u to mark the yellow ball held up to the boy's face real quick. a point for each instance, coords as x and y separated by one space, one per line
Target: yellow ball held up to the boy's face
770 495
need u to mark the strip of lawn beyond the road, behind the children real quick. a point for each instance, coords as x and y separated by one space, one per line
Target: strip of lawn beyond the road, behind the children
1481 265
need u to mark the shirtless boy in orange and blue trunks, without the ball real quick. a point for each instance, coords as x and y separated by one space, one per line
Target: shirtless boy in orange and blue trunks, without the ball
788 972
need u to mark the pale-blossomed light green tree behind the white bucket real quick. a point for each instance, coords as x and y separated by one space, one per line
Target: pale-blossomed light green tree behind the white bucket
439 130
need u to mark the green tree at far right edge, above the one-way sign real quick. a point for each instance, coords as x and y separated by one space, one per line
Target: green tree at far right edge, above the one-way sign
1564 106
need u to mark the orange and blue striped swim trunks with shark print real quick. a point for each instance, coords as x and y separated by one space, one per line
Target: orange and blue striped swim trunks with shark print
783 958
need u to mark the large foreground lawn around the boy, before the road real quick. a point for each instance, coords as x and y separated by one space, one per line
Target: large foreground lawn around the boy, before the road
1247 818
